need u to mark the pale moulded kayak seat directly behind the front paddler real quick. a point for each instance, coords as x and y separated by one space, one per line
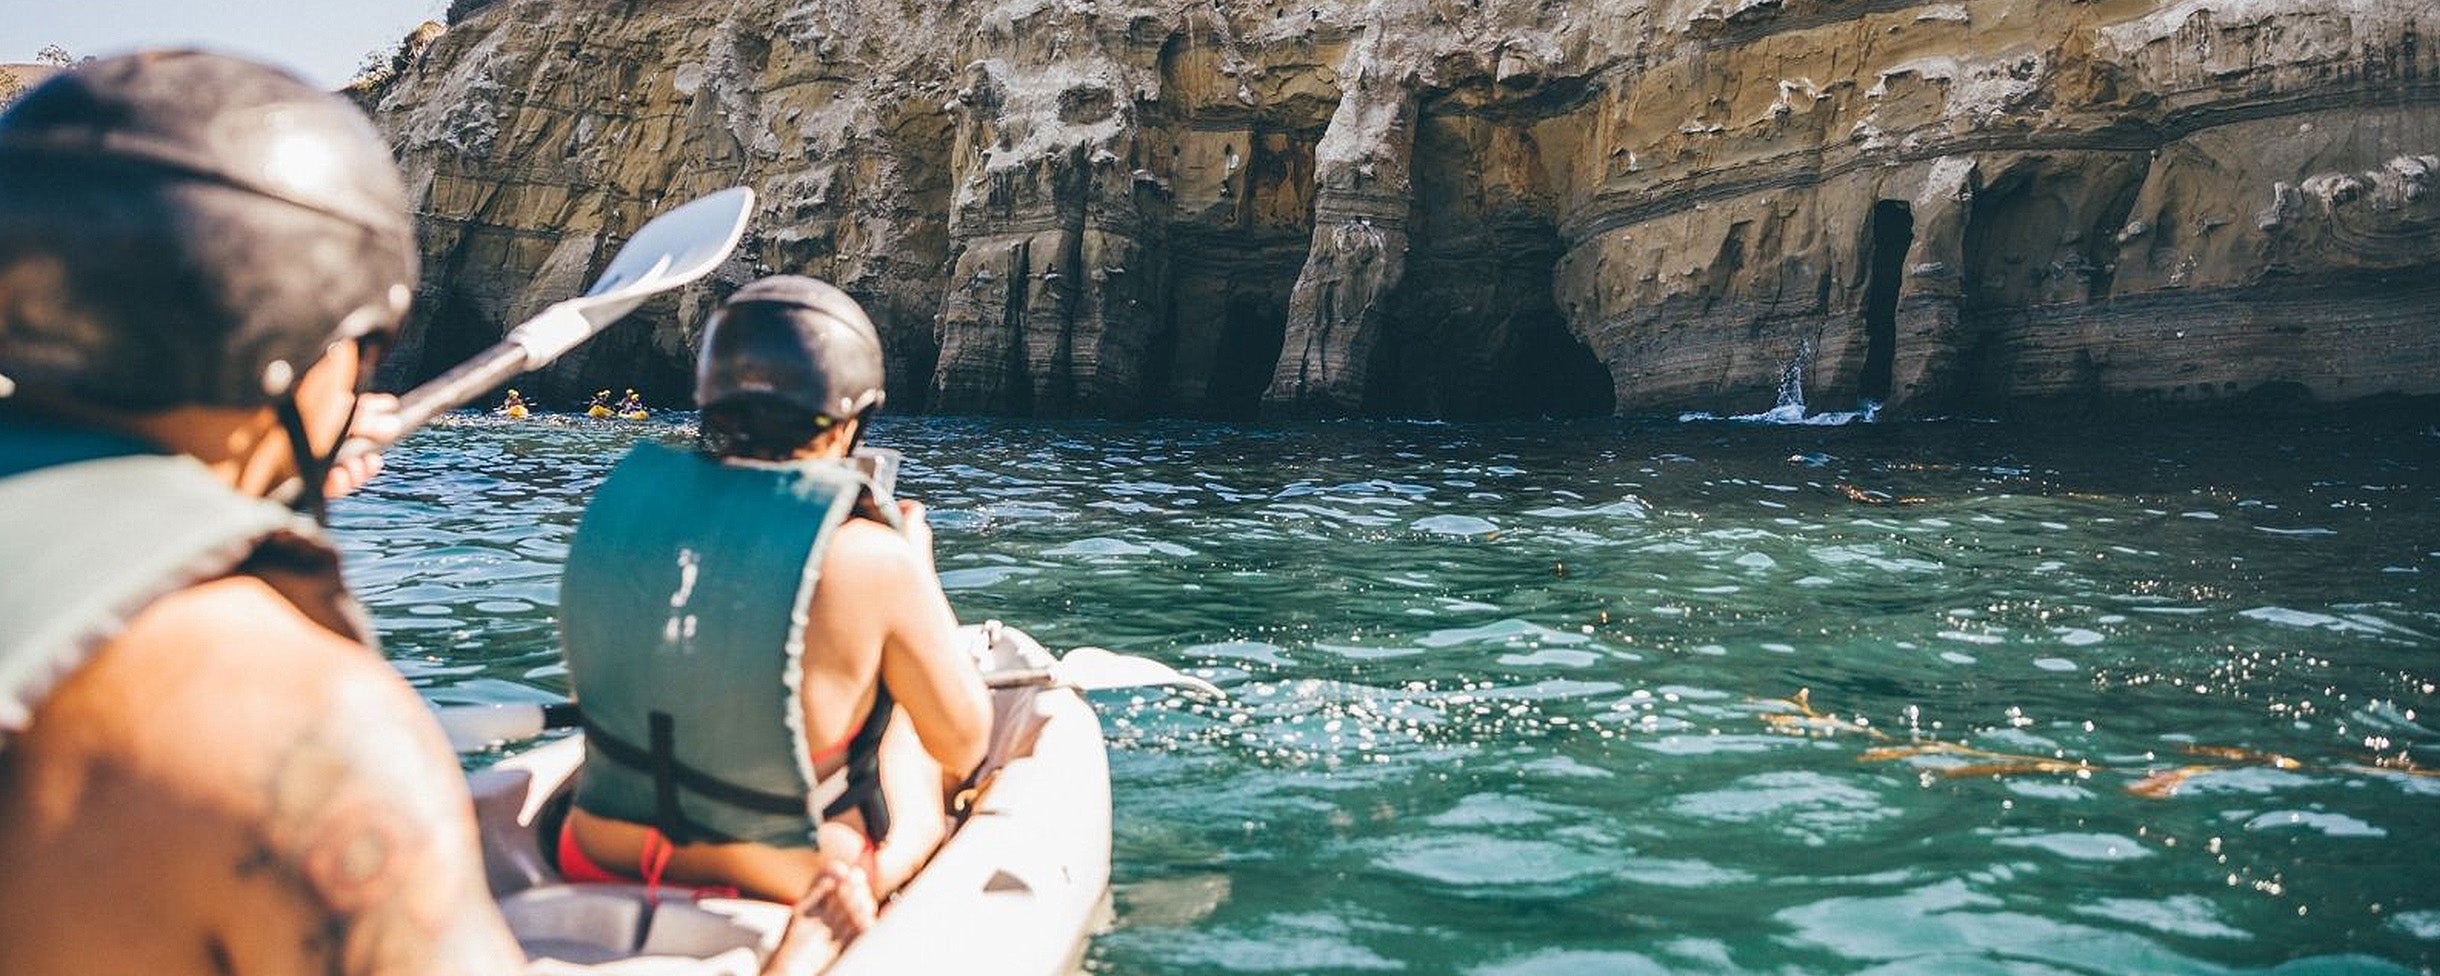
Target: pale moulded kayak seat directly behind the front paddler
604 928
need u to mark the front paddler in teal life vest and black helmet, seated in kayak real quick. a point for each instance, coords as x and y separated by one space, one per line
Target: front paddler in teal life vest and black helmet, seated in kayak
745 745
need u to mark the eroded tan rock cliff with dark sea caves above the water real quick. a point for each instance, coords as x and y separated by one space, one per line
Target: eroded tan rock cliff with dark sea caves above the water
1473 206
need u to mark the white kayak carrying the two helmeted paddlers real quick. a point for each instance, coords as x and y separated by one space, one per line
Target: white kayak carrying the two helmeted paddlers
1019 889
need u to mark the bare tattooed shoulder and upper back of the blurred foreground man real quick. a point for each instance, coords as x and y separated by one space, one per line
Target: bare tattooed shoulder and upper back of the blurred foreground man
235 789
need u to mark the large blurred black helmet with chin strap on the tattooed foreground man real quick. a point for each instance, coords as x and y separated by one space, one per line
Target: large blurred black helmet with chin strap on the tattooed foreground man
216 226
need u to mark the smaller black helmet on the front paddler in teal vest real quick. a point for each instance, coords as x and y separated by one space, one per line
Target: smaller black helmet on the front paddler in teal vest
787 343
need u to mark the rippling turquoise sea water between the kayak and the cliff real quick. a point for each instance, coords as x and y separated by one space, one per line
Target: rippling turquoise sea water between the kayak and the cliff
1521 699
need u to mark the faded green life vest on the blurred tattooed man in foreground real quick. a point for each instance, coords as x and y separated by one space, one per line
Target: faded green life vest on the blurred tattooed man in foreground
94 528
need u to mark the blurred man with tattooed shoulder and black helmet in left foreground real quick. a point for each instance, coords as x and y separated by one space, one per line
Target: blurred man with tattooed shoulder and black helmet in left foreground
204 767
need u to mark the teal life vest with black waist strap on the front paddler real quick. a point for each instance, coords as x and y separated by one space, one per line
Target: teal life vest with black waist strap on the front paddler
682 616
